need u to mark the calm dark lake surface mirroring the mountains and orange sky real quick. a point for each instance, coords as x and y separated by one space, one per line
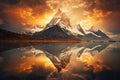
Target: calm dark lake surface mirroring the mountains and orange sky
60 61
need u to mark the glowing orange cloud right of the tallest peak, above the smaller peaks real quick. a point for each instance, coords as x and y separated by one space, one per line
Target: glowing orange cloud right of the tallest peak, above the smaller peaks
95 18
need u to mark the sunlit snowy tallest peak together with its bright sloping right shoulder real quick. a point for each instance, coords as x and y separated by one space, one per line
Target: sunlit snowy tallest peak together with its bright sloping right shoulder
63 21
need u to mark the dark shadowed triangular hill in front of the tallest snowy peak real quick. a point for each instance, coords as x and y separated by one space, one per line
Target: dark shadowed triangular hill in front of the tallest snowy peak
53 32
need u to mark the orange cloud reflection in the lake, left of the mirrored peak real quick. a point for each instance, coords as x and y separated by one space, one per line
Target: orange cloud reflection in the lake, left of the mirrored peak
27 64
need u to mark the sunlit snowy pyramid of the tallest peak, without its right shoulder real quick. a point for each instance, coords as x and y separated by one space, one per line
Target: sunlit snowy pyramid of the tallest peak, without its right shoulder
61 19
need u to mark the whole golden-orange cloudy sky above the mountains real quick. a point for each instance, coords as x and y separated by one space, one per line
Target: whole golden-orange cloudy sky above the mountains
25 14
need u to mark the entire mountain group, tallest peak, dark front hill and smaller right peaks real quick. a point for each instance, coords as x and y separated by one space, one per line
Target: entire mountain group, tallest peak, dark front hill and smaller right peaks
60 27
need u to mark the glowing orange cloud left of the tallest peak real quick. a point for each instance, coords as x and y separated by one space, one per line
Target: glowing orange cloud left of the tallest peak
25 16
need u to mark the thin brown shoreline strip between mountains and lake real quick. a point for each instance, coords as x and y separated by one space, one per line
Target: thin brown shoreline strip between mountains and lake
53 41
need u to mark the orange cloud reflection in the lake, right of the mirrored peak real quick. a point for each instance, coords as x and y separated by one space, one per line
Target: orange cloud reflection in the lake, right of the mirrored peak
93 61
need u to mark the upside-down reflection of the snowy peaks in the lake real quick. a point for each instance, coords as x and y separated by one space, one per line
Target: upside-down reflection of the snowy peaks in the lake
60 54
